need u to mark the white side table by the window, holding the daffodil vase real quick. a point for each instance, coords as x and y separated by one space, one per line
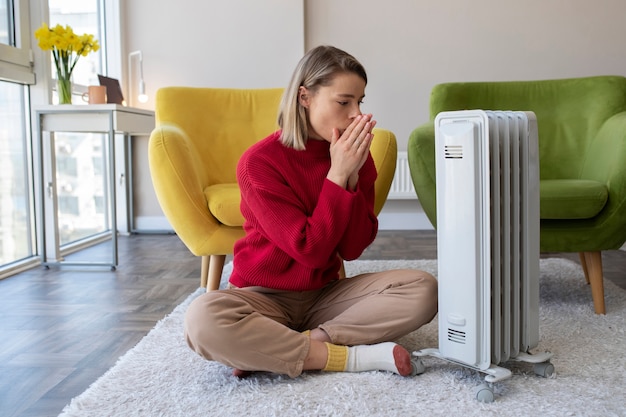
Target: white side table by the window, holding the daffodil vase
109 119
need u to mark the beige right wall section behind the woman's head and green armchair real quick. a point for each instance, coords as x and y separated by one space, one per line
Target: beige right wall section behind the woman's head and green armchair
408 46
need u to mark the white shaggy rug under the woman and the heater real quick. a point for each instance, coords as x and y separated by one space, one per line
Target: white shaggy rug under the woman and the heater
161 376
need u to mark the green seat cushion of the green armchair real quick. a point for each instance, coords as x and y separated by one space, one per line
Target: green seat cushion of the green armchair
572 199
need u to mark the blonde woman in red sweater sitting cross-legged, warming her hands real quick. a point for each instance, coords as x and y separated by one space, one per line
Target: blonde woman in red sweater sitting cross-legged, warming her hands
307 198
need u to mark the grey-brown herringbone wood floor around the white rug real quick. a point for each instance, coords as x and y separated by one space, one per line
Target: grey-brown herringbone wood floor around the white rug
60 329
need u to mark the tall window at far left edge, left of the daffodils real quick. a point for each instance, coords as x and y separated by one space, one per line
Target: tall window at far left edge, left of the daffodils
17 225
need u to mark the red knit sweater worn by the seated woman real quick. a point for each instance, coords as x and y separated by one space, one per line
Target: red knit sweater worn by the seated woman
297 221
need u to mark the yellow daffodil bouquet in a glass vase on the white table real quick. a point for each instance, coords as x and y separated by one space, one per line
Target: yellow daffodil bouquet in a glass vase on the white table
67 48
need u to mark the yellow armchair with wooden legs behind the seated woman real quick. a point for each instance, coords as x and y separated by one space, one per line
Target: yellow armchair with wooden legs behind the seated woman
200 135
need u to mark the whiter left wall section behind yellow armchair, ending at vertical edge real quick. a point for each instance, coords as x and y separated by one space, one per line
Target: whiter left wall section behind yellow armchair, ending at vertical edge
208 43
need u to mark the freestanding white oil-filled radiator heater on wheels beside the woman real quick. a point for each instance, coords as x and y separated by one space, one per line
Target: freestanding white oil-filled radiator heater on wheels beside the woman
487 175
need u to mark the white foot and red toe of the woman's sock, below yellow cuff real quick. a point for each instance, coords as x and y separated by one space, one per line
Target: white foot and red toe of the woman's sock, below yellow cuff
385 356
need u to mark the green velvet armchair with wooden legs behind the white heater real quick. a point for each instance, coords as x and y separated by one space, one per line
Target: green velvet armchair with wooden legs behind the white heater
582 156
